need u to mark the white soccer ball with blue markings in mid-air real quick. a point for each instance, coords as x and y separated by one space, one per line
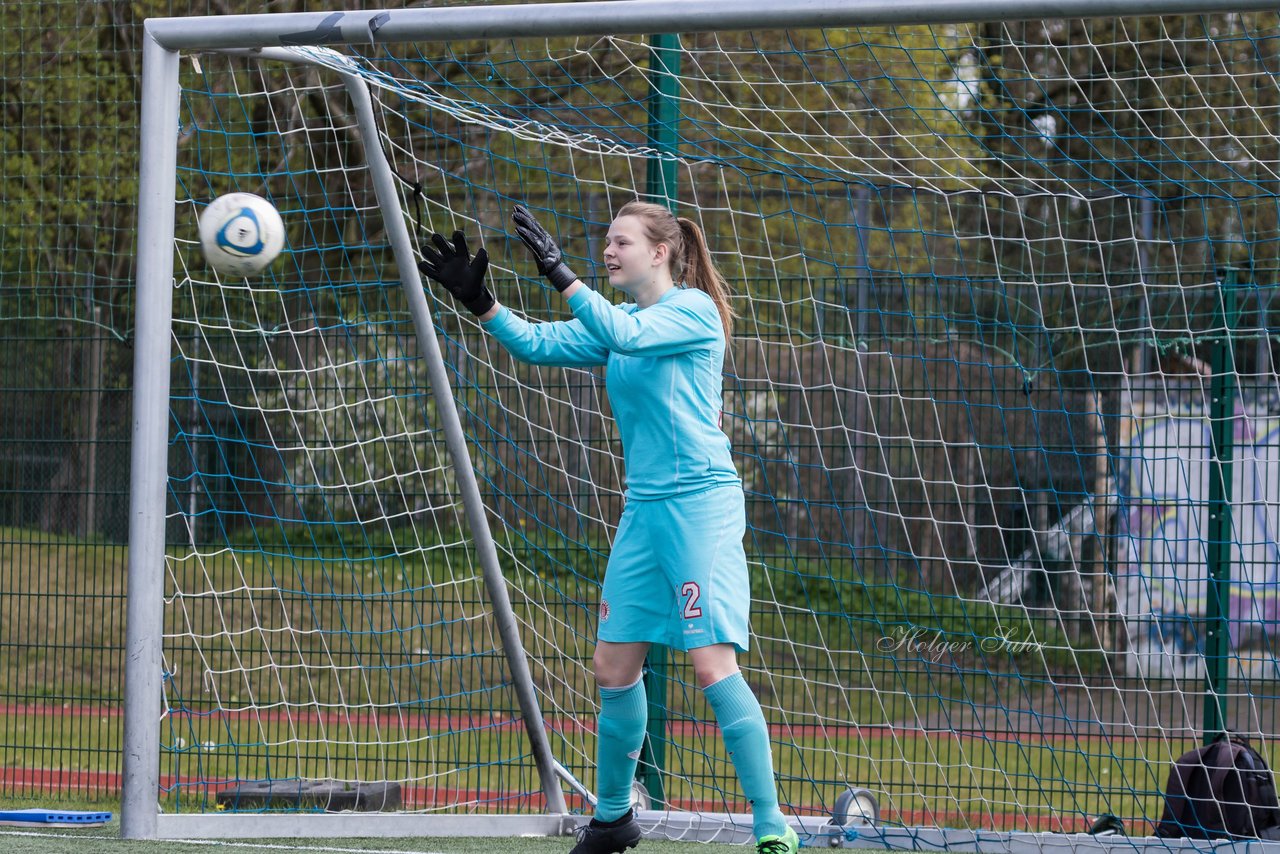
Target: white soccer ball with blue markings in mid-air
241 234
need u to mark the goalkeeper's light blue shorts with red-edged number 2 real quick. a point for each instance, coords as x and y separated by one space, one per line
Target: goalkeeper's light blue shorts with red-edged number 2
678 573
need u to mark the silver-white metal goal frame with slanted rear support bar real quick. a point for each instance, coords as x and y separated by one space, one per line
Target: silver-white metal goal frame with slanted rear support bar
277 38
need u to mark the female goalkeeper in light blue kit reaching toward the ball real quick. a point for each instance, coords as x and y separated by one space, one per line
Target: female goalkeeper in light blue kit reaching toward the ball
678 572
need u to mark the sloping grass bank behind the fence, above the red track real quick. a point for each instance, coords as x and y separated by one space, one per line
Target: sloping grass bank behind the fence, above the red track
423 618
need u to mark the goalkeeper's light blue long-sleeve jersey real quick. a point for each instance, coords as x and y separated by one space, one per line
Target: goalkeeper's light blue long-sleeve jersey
664 378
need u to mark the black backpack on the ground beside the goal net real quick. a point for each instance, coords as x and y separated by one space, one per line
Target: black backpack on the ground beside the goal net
1222 791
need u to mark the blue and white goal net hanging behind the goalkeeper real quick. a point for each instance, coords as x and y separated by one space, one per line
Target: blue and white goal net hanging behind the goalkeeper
984 277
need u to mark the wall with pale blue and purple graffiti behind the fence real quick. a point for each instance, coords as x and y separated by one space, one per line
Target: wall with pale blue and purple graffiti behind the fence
1162 567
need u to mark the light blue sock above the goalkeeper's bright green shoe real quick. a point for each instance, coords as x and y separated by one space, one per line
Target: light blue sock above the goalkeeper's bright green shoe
747 738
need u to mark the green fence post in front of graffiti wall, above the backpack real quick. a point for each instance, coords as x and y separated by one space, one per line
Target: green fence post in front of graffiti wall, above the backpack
1222 415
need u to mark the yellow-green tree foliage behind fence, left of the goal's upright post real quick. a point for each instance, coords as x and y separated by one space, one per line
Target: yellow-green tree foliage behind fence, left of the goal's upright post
68 175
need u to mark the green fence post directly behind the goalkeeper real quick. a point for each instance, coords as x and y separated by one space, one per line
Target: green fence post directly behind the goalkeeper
661 189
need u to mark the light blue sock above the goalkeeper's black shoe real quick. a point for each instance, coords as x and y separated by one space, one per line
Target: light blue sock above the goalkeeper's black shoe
620 734
